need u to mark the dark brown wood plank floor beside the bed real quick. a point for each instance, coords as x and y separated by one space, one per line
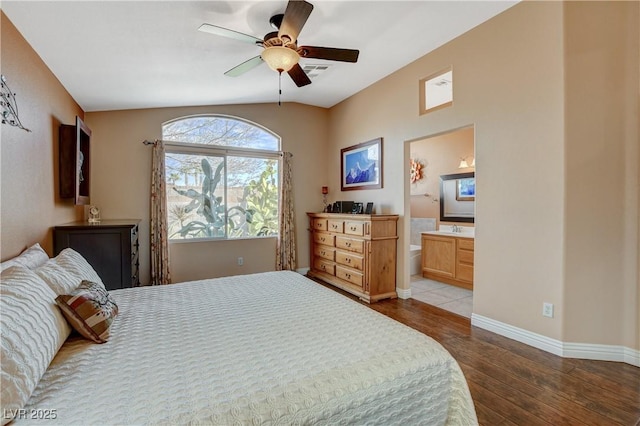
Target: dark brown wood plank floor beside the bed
515 384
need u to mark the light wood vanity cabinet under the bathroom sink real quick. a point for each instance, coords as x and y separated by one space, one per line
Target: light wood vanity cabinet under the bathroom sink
448 258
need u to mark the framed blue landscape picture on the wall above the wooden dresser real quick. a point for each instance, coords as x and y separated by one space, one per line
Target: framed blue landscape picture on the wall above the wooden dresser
361 166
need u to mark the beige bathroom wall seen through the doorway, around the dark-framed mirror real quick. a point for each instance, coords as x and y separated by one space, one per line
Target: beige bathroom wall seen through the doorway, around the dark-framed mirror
440 155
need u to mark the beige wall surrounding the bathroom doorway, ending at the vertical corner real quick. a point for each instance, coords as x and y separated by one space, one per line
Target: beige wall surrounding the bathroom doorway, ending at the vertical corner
508 84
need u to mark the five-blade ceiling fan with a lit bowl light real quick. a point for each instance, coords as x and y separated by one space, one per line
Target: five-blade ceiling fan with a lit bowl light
281 52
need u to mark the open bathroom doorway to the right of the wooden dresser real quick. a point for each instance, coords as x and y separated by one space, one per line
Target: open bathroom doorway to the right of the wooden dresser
445 154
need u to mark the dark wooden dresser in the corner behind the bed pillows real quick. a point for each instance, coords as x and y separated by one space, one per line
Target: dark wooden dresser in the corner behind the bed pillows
110 247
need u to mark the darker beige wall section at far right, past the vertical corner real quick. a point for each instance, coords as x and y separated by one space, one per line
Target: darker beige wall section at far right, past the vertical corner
601 176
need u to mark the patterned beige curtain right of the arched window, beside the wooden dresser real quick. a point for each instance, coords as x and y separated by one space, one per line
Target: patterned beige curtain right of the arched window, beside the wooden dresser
286 250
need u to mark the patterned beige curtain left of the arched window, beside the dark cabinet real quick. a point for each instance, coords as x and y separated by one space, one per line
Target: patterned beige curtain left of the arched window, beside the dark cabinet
159 229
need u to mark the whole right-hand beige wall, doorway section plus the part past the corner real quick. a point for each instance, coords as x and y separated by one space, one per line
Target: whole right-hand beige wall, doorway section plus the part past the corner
557 219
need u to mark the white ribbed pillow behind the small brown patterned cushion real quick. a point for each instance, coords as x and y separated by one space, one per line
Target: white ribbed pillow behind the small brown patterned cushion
66 271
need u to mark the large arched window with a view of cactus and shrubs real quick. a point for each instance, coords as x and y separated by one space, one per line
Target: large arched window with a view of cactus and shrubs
222 178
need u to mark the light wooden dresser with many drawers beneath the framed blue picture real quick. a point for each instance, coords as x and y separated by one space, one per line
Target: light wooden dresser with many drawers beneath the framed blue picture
355 252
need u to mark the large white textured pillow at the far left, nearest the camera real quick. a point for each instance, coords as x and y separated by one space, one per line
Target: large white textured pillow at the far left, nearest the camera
33 329
